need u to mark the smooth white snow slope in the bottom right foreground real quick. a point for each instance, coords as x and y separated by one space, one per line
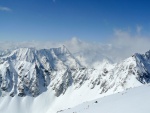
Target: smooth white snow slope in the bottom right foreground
136 100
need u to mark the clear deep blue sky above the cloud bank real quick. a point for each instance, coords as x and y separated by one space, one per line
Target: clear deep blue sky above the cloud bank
59 20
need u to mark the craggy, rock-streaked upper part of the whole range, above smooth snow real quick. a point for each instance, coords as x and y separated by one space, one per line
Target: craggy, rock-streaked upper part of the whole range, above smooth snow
29 72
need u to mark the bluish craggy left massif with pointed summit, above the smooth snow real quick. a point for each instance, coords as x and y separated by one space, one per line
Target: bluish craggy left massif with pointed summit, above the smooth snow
26 71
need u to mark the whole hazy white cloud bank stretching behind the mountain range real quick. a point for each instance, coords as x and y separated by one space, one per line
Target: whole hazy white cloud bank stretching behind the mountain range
122 45
